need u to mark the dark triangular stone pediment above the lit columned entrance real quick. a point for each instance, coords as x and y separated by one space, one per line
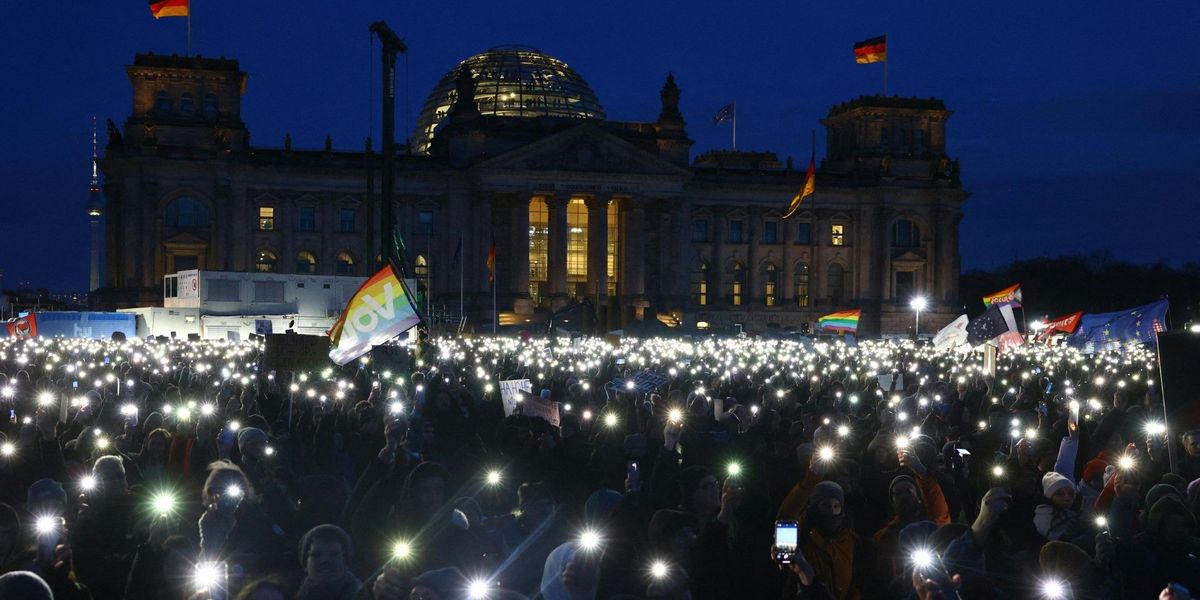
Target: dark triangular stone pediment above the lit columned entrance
585 149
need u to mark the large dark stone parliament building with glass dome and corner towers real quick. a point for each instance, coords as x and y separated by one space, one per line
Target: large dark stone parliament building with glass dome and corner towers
514 146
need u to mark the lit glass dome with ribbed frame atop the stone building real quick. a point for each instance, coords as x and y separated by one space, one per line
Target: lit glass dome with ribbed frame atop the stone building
511 81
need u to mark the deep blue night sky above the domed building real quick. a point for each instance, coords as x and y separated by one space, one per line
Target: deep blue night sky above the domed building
1077 124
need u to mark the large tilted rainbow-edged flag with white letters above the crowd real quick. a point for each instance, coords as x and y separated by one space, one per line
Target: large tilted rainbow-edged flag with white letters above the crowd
381 310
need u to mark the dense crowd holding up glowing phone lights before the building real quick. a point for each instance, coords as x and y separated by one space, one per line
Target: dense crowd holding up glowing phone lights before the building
569 470
